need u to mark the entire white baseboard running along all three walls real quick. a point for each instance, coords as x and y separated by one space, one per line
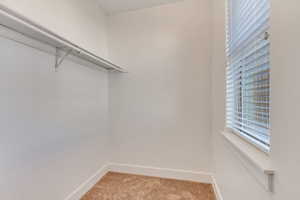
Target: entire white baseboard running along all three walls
202 177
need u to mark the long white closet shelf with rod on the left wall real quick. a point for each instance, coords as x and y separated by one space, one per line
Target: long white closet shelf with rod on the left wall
26 27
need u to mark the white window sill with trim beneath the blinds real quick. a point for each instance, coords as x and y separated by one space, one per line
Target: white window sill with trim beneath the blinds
255 160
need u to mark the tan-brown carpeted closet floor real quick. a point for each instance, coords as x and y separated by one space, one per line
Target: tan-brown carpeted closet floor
117 186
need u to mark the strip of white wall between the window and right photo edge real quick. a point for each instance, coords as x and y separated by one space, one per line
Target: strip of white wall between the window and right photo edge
285 94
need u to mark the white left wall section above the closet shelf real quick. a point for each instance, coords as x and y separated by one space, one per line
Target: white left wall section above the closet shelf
81 22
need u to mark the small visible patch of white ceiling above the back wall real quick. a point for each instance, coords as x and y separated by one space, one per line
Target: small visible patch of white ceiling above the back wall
115 6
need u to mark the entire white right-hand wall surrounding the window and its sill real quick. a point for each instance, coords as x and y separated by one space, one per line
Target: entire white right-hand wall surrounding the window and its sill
233 178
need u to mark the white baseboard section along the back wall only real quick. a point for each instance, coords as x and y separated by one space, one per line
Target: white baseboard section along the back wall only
202 177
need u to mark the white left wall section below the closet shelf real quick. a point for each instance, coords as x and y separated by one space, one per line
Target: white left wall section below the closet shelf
53 125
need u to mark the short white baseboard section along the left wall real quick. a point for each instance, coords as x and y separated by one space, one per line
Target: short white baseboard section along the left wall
88 184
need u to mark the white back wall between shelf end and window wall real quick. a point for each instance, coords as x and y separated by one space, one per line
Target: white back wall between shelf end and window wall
160 111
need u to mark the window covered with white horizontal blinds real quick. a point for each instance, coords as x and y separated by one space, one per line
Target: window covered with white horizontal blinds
248 70
